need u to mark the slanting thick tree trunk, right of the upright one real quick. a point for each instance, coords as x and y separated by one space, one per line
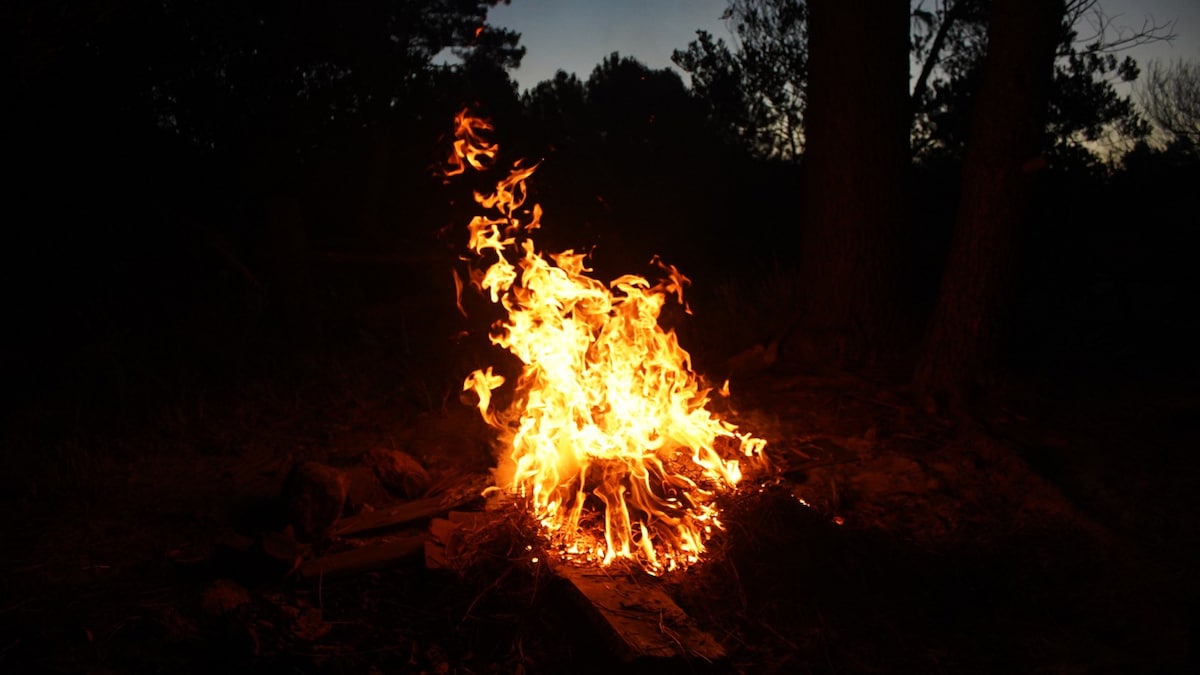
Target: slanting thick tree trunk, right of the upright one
1003 159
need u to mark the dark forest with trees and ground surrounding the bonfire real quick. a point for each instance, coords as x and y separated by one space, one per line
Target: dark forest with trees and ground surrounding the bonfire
940 254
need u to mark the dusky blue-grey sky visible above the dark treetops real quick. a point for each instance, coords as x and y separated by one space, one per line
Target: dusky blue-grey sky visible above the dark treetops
575 35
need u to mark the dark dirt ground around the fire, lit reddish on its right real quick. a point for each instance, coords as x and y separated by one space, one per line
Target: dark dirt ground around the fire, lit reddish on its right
1055 535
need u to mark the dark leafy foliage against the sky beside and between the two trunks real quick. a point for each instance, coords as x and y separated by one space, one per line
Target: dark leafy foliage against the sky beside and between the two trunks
754 88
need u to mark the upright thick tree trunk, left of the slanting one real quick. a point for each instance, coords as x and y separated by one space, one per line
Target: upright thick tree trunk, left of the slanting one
855 180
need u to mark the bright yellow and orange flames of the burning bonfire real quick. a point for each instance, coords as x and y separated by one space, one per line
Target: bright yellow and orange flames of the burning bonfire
609 420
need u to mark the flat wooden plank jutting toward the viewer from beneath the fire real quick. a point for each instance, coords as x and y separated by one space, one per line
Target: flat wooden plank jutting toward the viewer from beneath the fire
644 622
